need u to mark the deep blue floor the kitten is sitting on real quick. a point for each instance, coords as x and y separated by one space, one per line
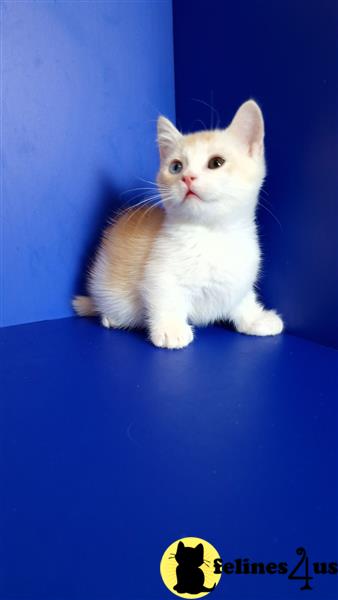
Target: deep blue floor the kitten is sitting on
113 449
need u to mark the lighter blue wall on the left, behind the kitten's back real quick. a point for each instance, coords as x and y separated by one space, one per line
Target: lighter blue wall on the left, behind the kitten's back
83 83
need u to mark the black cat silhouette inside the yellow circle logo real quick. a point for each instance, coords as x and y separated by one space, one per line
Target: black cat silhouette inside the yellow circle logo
190 578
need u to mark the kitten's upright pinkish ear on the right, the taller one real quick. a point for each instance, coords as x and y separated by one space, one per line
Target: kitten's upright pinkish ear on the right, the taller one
248 126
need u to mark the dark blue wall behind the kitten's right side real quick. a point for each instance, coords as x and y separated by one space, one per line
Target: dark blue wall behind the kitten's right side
283 54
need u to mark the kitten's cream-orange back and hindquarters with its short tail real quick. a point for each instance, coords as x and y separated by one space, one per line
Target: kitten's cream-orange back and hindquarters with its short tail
116 273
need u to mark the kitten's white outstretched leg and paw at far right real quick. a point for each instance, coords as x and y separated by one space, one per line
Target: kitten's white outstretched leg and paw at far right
252 318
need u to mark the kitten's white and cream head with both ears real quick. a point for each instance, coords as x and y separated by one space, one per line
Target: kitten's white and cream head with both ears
213 176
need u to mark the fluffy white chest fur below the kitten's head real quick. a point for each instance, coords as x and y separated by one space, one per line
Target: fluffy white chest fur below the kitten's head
211 270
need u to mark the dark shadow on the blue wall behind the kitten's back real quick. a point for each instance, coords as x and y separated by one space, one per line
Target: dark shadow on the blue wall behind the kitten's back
110 202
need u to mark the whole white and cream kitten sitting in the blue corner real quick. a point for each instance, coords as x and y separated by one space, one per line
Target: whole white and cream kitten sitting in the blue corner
196 260
